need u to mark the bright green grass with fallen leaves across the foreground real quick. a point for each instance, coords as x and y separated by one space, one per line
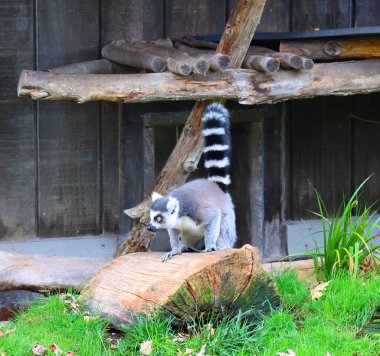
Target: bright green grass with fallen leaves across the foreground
306 326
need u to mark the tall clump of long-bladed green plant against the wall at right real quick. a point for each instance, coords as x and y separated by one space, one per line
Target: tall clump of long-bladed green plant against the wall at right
347 237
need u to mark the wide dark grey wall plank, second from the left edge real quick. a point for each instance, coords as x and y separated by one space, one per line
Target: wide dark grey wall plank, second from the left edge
68 175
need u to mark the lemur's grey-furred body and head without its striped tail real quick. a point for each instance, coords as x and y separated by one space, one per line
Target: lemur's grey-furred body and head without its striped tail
210 210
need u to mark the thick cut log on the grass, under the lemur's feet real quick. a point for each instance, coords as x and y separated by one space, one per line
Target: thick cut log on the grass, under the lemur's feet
185 287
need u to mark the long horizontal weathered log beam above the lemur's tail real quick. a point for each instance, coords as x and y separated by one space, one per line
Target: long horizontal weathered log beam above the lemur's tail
246 86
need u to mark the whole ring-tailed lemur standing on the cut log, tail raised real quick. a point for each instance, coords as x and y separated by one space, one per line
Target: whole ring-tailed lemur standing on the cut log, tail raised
200 214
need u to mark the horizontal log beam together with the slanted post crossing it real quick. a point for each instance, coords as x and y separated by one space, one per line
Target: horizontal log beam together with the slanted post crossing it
248 87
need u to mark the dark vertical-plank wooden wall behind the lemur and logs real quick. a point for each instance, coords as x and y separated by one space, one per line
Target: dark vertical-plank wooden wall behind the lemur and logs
69 170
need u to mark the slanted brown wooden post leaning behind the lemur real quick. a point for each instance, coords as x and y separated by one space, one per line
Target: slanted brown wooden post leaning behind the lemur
236 38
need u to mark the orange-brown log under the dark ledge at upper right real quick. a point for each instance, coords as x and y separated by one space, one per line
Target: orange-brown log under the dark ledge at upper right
337 48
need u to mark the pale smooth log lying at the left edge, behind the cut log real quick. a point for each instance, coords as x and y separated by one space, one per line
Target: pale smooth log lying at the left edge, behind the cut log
40 273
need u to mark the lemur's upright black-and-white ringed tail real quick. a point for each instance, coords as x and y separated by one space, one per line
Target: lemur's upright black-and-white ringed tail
217 150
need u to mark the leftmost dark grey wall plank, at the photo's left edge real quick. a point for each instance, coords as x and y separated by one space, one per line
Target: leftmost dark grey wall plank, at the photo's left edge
17 124
